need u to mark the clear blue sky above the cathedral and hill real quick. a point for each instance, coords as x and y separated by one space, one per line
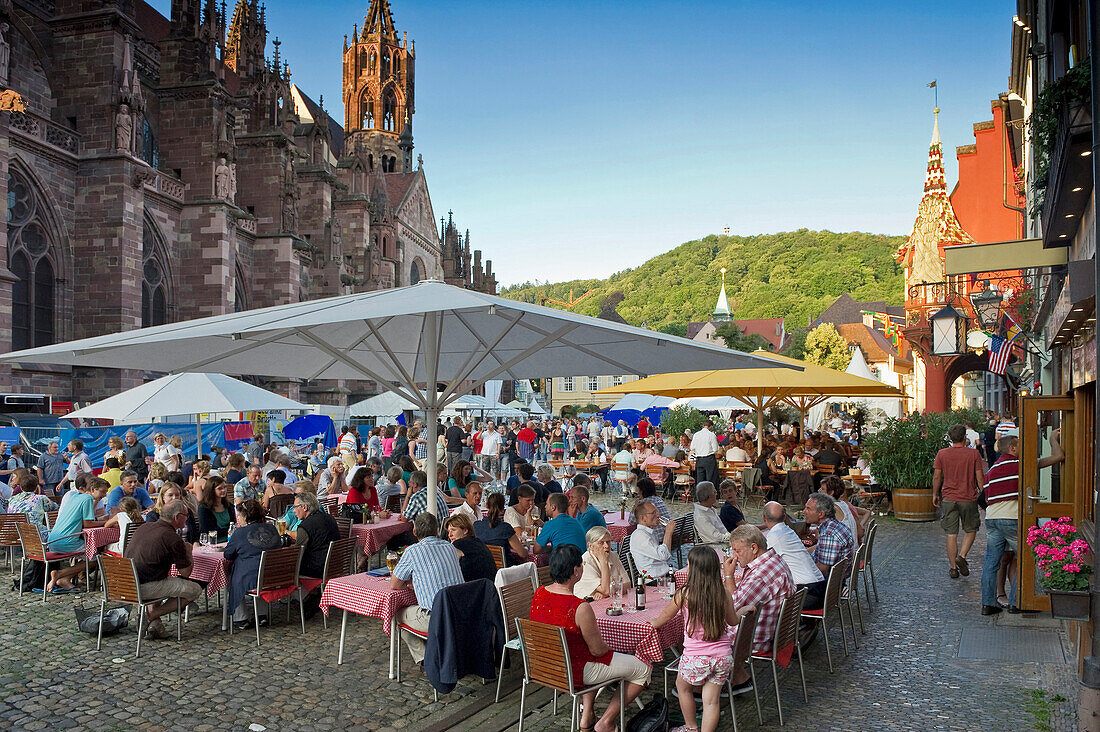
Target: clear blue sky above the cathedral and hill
578 139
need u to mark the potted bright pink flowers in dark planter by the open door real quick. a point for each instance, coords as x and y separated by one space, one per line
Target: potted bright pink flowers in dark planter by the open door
1064 567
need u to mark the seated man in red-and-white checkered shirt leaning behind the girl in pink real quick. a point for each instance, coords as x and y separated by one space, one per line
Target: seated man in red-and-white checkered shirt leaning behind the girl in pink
765 584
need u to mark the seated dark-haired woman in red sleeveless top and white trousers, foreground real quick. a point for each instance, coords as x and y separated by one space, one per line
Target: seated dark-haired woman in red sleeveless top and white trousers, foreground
590 658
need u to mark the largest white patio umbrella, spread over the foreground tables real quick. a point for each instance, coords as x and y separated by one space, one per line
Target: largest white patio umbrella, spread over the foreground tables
449 338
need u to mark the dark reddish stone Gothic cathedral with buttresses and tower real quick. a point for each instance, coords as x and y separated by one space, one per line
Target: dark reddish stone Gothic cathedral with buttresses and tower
166 169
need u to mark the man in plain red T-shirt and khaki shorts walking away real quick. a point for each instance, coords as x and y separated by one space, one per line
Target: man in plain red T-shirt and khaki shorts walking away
958 473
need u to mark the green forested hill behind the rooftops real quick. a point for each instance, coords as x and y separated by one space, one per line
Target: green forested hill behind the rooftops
794 276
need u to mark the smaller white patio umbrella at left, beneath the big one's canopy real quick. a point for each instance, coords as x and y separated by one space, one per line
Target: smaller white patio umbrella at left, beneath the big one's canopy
186 394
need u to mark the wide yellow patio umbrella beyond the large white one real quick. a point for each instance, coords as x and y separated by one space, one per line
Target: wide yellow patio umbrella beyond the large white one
762 388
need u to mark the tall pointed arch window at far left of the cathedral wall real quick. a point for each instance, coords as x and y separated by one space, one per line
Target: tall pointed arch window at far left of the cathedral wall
30 260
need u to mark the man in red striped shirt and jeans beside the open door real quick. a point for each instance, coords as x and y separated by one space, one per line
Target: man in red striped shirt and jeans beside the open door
1003 512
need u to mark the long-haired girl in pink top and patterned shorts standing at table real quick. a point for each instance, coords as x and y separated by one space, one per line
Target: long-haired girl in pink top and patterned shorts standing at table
710 625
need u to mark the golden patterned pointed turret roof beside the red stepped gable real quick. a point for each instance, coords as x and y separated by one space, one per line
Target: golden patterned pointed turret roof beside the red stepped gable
937 226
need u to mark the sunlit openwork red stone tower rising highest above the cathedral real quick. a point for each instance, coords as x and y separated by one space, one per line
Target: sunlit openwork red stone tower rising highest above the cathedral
378 92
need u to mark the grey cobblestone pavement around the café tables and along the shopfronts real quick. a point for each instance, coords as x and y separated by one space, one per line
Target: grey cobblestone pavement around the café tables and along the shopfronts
907 673
